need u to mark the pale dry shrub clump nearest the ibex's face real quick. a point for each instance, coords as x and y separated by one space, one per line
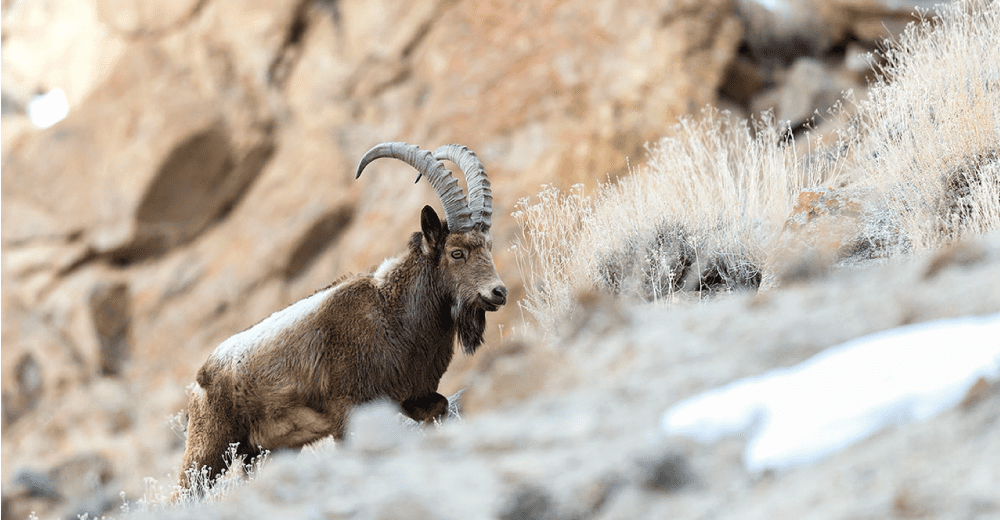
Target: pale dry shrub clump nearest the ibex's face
701 215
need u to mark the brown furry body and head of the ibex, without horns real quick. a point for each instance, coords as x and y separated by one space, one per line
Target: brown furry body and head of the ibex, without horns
388 336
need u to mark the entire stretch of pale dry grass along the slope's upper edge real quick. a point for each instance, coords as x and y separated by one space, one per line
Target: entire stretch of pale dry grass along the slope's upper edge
925 147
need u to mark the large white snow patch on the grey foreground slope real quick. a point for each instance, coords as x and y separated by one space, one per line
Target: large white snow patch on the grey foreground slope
800 414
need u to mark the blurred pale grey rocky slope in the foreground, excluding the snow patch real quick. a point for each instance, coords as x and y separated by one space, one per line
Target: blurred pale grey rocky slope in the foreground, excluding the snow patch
579 435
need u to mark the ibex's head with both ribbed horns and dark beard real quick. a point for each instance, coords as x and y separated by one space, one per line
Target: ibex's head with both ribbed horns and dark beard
461 247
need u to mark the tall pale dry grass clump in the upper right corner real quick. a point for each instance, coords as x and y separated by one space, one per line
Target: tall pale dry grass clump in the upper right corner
929 146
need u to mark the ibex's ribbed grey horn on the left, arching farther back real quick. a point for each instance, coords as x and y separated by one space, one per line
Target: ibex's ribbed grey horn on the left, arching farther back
456 210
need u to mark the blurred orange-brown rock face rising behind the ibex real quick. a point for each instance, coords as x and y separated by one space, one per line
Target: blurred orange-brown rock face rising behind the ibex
204 175
